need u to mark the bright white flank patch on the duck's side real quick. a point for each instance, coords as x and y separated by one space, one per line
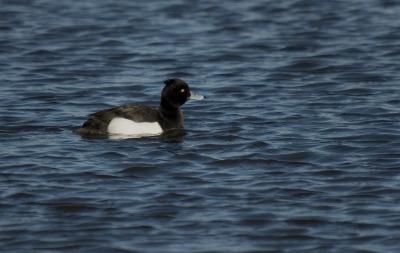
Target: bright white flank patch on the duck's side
126 127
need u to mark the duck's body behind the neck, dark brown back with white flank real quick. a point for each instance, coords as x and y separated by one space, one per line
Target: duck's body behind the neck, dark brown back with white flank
127 119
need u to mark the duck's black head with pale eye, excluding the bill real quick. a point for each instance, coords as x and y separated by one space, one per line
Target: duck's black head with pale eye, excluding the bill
175 93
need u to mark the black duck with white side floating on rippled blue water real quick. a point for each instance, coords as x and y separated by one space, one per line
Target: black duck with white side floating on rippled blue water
136 120
